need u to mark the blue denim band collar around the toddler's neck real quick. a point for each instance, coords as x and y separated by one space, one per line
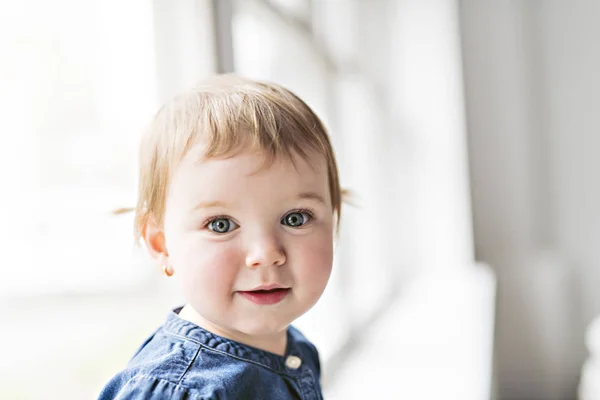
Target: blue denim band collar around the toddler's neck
189 331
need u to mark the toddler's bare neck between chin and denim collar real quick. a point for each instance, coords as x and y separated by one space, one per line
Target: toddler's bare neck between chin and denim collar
275 343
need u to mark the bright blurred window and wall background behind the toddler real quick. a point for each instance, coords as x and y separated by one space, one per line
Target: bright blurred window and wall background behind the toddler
468 267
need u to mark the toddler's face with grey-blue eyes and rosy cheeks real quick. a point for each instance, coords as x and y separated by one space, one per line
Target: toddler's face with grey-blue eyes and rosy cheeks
233 225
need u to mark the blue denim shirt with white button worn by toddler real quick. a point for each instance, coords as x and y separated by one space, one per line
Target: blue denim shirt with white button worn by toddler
183 361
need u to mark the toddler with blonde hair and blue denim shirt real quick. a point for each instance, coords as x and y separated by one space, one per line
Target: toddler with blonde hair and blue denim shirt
239 200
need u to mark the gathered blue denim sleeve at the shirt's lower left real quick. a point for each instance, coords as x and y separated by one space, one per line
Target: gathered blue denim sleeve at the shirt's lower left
147 388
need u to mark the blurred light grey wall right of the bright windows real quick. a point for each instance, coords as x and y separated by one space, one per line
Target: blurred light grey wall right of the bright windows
532 89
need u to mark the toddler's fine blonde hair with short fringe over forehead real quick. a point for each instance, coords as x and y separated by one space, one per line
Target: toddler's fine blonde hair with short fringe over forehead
227 112
